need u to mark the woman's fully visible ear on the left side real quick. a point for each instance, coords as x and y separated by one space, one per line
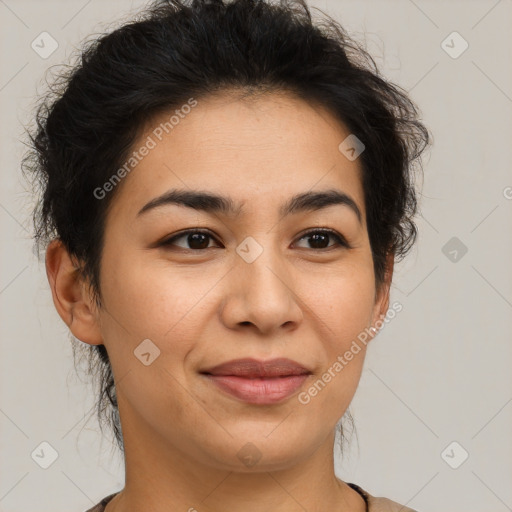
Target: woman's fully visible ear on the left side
70 295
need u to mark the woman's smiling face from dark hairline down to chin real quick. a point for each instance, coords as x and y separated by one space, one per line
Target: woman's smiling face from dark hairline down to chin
265 282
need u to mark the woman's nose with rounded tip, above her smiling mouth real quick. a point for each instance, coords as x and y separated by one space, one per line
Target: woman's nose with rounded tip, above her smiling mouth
261 295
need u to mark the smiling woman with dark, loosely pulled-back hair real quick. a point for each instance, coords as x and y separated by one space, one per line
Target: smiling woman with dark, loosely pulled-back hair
273 141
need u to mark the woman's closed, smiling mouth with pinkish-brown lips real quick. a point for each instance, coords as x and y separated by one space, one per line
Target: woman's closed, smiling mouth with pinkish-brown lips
258 382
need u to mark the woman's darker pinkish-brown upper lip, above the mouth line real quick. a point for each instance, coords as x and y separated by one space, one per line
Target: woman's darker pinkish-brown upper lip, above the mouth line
251 368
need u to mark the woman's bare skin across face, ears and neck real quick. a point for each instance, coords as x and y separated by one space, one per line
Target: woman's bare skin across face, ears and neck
296 300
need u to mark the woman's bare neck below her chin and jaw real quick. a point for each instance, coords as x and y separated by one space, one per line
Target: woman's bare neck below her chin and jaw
164 478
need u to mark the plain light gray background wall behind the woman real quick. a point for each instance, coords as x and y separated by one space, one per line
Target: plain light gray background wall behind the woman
438 373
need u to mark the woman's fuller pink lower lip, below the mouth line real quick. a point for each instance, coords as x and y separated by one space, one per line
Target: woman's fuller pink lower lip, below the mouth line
259 390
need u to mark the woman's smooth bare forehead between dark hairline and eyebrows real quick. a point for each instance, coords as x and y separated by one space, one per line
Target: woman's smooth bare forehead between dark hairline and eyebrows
256 150
